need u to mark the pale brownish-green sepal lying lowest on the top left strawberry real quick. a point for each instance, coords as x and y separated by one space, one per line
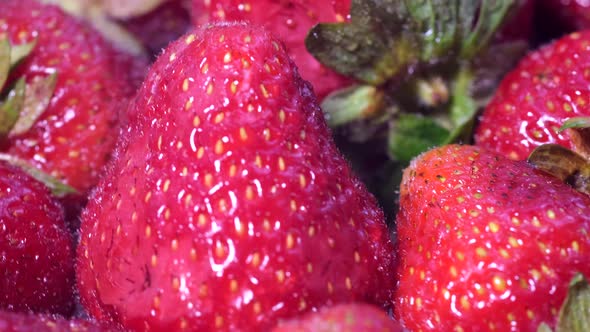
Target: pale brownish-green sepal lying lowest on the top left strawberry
38 94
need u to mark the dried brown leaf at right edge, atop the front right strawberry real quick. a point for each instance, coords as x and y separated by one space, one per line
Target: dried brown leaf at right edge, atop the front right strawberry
564 164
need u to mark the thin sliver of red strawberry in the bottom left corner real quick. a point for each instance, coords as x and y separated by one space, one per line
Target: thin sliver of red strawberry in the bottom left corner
27 322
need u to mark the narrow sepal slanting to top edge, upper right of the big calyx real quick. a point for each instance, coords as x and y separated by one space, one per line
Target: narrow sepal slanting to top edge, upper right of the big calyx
492 13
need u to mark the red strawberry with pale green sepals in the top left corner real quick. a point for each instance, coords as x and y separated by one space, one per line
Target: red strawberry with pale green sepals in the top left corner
73 137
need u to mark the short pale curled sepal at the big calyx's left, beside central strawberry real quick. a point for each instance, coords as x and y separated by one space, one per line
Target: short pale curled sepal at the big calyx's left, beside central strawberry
352 103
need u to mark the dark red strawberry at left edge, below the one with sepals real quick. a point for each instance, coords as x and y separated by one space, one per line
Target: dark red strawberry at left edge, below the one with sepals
36 248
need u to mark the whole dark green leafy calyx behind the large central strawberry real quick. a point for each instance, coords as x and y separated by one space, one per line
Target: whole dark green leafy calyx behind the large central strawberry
431 63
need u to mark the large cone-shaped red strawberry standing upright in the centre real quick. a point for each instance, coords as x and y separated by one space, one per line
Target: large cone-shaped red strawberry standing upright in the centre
228 206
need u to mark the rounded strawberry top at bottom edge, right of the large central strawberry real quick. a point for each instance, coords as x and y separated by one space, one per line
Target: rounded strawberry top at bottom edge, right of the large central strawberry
342 318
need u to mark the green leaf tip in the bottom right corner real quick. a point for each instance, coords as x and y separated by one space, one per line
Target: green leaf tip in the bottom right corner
574 314
